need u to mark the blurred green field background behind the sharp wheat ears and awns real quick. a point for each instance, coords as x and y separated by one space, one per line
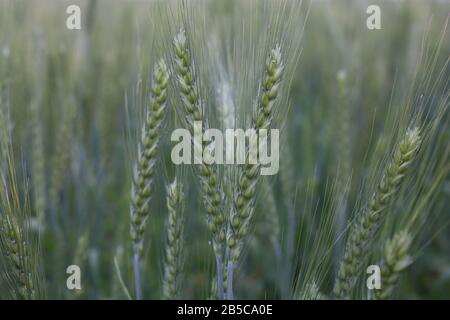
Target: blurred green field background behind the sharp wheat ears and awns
68 96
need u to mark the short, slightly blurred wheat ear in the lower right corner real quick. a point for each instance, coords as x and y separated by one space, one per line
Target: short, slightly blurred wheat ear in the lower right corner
395 260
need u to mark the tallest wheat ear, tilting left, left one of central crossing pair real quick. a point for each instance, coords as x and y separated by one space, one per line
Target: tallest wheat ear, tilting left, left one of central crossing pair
210 186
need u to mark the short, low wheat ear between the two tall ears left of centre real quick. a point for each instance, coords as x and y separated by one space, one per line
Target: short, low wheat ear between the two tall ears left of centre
174 241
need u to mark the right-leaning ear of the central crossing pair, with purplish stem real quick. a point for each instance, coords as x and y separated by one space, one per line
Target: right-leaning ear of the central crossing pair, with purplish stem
244 203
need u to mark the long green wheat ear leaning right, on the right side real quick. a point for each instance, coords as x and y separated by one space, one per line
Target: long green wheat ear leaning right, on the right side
370 219
